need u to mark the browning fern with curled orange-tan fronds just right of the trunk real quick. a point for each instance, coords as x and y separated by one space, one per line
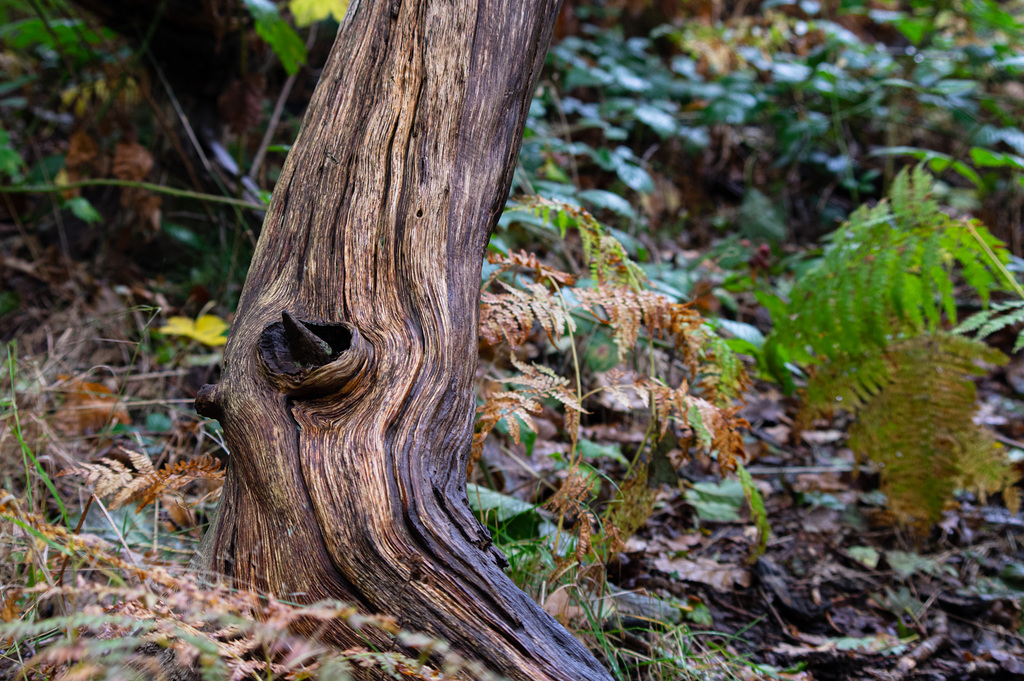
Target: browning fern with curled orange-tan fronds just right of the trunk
698 412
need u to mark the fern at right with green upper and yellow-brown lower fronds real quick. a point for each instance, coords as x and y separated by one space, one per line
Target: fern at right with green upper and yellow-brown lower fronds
869 321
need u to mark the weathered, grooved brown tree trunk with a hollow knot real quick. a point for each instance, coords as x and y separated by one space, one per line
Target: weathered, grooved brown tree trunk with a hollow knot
347 399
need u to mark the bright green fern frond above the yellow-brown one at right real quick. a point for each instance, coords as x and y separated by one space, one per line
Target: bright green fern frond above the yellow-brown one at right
889 273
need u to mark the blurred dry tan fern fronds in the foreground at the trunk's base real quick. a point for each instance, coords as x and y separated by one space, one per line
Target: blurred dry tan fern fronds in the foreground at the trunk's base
152 623
